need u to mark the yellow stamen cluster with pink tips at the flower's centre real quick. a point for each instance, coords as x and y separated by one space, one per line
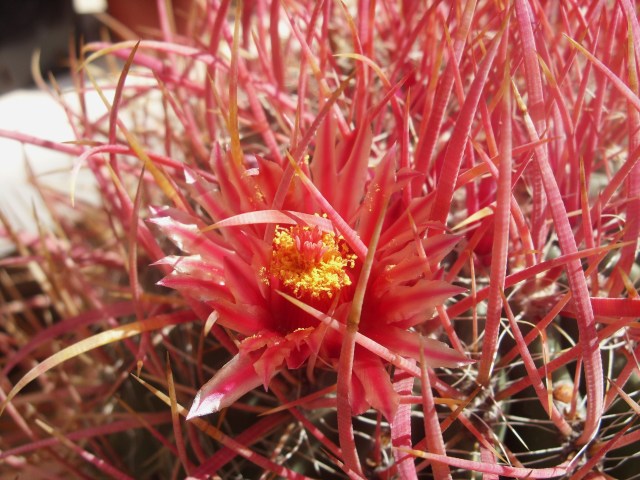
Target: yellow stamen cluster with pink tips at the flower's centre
310 263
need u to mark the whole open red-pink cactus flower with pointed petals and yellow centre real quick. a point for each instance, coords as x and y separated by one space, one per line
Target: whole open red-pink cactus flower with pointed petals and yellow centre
282 281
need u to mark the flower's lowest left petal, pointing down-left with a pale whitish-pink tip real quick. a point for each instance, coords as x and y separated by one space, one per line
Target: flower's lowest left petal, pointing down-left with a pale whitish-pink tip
231 382
